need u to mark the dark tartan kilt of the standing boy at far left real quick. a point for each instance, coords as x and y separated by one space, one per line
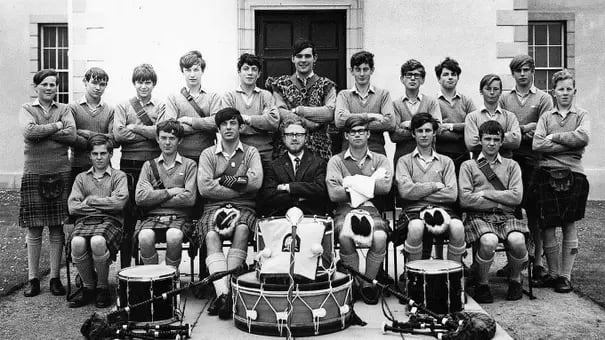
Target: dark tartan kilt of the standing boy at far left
36 211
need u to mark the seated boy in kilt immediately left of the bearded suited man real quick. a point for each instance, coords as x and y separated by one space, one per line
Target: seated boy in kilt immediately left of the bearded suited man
230 173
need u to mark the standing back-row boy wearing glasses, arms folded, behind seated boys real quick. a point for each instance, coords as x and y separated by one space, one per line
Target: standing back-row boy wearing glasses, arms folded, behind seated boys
412 102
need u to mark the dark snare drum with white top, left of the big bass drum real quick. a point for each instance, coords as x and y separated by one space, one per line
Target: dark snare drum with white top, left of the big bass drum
140 283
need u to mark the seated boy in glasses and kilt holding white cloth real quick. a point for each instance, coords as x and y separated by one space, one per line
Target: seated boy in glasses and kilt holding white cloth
345 174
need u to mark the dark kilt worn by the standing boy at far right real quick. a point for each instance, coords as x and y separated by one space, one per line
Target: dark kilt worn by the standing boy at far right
556 208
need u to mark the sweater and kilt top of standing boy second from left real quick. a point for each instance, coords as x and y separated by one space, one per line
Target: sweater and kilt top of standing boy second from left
87 124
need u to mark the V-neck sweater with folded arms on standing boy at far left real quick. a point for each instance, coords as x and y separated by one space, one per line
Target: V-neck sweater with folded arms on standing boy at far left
46 146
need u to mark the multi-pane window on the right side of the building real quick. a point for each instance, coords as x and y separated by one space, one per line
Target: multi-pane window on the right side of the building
546 44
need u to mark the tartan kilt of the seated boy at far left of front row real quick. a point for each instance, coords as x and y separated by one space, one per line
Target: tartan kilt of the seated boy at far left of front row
108 227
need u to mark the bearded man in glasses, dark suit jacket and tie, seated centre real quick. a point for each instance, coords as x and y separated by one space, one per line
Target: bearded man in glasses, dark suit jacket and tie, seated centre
296 178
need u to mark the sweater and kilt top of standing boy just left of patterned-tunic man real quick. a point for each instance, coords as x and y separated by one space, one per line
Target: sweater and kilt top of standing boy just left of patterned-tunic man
263 115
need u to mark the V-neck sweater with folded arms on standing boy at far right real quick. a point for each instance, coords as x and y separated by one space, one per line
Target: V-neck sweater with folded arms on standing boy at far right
570 136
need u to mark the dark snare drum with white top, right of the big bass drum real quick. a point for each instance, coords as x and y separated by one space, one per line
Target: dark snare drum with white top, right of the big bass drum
438 284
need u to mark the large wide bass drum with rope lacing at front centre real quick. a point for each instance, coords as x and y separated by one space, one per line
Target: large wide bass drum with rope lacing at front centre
318 308
